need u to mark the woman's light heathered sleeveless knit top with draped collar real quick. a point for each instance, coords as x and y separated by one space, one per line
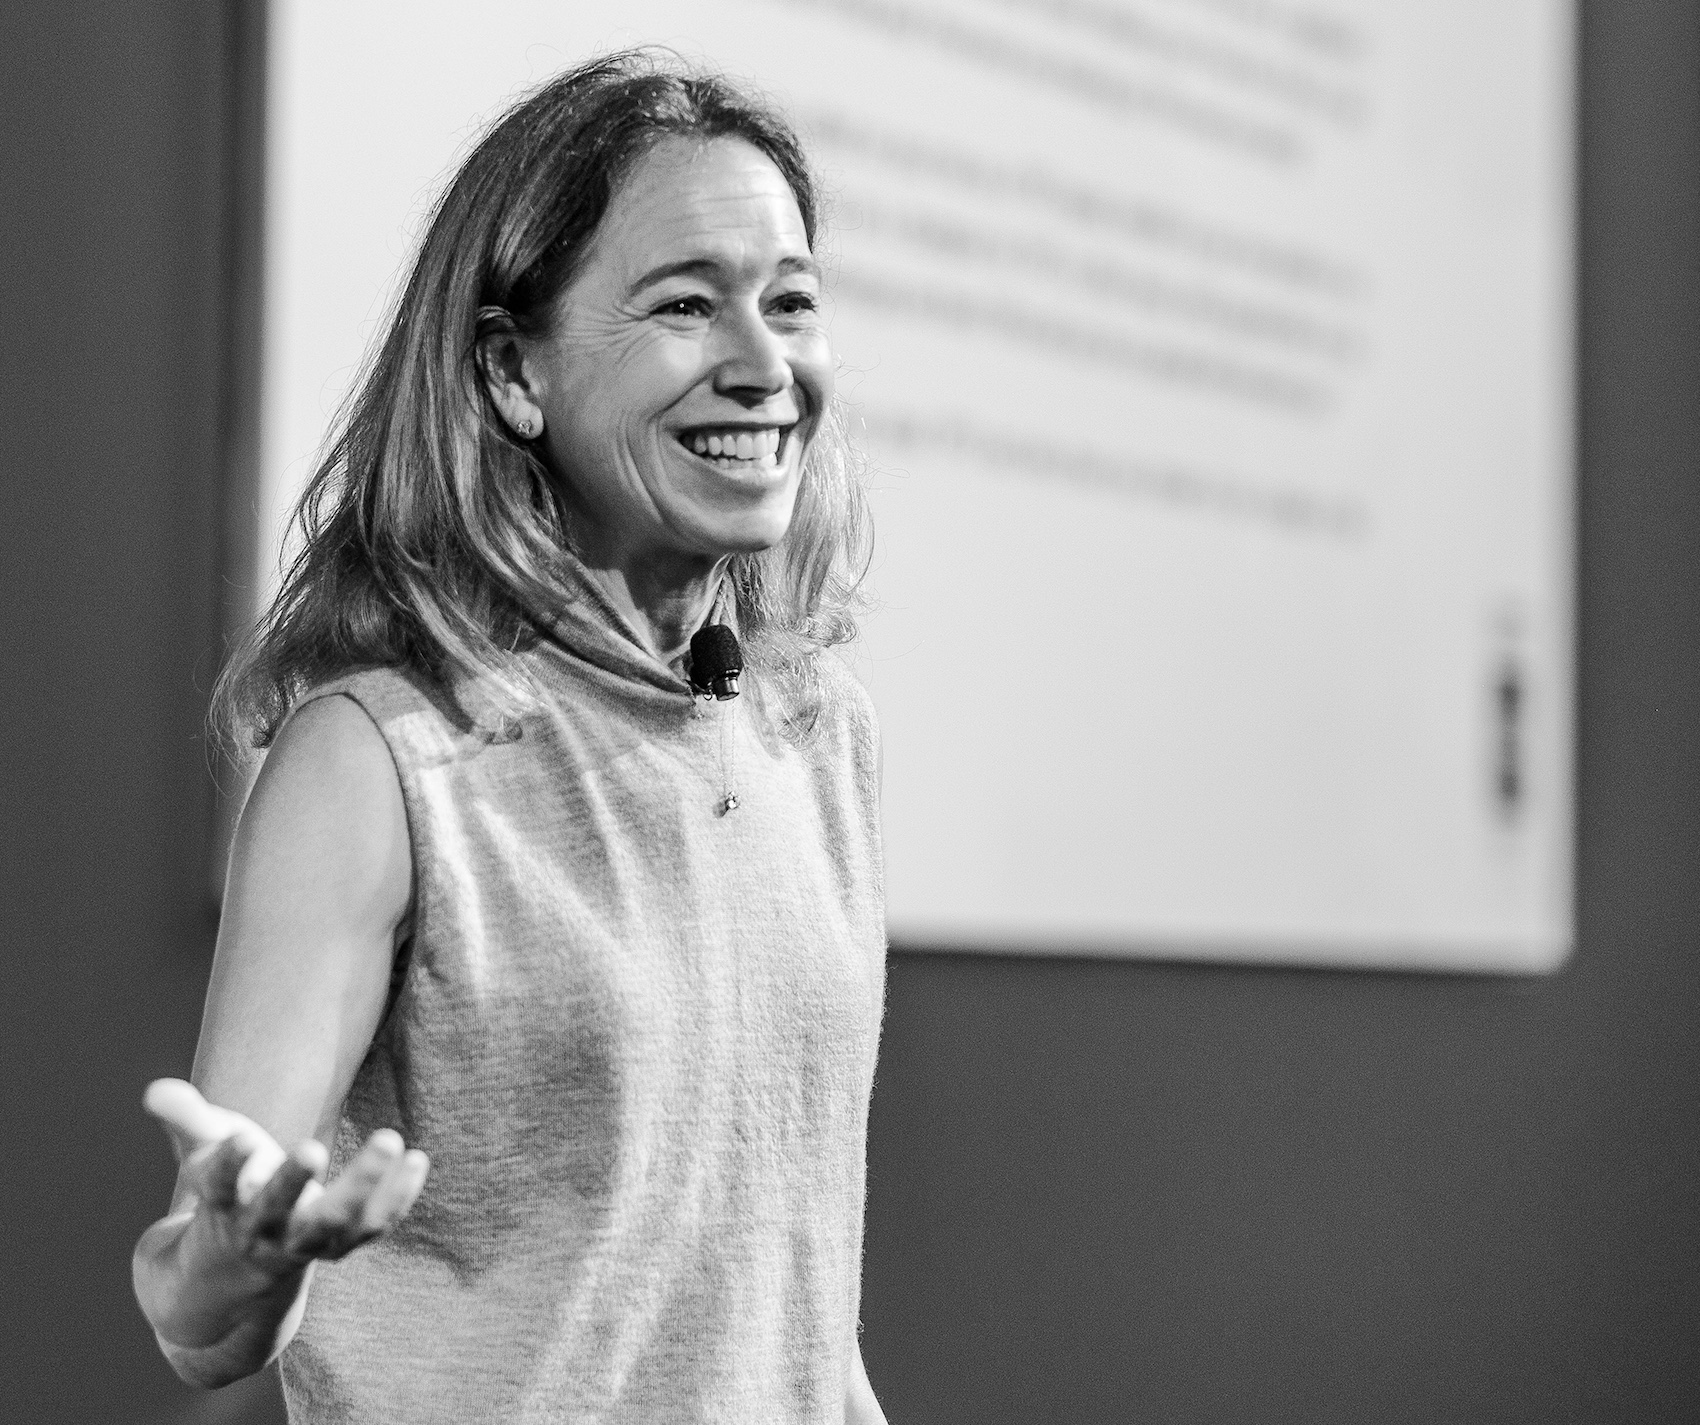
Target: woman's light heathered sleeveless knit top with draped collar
637 1036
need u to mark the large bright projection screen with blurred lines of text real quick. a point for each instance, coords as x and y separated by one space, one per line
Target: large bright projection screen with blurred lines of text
1215 366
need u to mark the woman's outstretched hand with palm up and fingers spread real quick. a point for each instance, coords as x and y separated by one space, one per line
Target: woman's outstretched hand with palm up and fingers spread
269 1210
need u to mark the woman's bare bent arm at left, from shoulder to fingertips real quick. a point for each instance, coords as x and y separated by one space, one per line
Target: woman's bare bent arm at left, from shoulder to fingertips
319 887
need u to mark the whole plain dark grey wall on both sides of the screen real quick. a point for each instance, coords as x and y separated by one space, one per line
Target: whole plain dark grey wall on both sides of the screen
1101 1193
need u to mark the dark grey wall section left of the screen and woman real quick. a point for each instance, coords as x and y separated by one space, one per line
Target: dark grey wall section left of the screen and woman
111 258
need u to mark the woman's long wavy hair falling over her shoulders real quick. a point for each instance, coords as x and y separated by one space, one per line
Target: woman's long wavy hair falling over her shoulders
429 537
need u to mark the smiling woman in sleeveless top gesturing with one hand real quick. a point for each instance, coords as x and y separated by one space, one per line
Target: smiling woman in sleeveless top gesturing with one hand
608 955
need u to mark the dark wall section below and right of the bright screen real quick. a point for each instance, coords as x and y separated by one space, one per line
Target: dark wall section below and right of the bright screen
1109 1193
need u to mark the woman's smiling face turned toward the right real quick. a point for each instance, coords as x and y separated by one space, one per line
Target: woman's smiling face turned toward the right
688 368
